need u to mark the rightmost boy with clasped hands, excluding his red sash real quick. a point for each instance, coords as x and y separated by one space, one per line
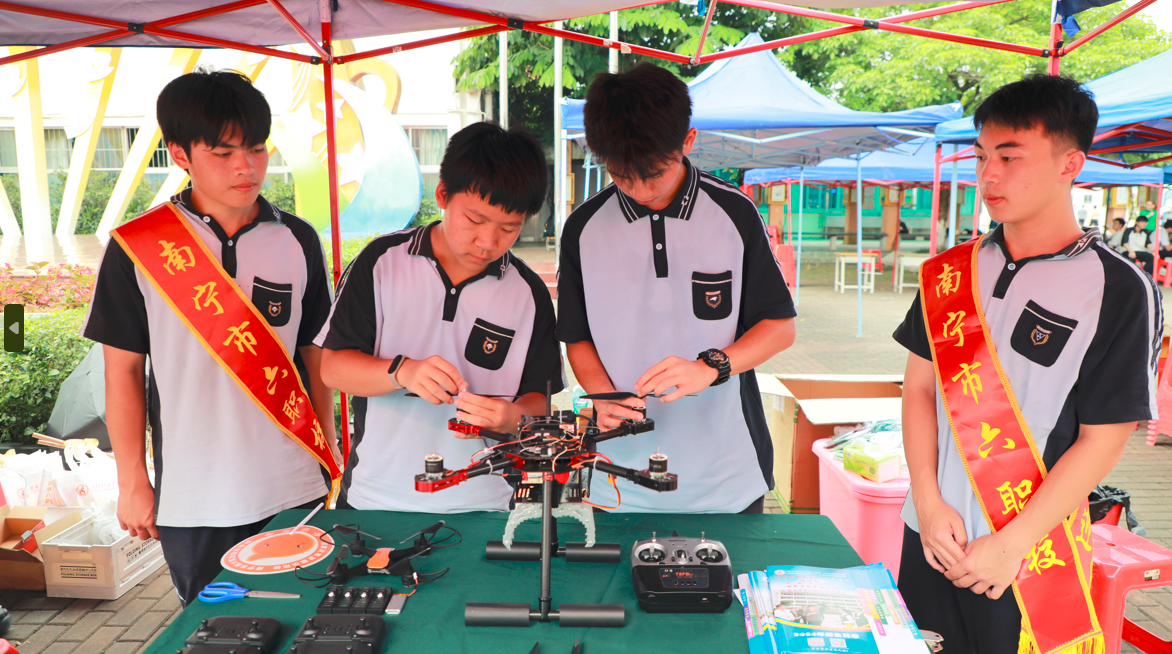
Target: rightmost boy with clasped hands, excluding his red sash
1081 386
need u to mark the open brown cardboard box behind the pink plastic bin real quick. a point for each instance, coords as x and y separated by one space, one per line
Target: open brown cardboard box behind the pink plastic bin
808 408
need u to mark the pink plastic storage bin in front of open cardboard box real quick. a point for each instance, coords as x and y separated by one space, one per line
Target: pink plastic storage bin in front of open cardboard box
866 512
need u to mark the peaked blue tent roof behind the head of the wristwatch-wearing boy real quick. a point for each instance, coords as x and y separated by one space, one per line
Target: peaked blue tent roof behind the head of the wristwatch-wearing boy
754 113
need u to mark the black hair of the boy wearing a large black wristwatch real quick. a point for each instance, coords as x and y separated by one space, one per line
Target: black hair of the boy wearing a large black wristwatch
637 121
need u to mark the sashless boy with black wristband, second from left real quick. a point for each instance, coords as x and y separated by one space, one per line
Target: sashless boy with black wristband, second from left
444 311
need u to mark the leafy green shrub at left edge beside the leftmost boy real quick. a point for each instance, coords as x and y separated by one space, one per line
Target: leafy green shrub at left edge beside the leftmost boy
30 381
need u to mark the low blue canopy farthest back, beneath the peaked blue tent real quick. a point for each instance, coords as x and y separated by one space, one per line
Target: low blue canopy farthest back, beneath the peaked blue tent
914 163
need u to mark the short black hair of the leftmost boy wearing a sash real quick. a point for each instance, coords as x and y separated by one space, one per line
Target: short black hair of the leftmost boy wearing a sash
212 107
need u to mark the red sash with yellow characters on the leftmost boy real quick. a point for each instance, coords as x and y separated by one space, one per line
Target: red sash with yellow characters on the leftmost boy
180 267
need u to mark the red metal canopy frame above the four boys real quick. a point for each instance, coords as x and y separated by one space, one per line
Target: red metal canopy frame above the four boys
495 24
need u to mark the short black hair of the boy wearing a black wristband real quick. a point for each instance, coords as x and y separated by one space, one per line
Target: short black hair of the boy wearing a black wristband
507 168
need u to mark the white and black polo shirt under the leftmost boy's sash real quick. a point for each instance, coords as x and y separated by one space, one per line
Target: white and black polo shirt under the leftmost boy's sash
219 460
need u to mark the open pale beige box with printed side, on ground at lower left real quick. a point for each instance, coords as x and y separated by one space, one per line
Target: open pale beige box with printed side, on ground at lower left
76 568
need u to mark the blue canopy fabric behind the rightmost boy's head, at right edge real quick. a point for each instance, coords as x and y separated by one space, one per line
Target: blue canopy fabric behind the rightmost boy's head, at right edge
1141 93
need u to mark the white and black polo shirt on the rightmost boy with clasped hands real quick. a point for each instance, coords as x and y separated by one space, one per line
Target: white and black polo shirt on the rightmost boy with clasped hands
1102 323
